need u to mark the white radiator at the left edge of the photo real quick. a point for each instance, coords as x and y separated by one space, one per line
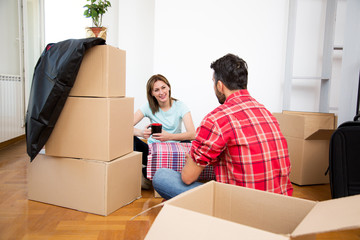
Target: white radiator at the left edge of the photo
11 107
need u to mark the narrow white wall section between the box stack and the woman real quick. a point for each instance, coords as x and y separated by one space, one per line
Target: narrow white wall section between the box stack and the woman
136 36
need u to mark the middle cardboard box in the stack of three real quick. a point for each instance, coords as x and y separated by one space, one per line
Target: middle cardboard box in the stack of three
93 128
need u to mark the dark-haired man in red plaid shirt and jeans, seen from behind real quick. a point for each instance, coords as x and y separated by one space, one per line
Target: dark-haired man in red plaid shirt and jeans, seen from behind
240 138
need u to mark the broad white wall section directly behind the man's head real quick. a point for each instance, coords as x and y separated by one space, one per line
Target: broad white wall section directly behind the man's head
189 35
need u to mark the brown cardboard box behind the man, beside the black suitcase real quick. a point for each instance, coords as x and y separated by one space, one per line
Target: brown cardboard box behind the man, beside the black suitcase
308 136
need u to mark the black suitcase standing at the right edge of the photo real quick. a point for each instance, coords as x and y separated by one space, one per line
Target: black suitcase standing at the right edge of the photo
344 158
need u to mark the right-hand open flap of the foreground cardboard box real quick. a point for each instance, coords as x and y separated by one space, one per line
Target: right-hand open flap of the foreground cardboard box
331 215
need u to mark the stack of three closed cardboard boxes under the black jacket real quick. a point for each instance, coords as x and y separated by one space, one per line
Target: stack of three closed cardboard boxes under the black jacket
89 163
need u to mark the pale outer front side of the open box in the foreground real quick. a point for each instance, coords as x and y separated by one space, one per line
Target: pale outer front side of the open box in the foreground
173 223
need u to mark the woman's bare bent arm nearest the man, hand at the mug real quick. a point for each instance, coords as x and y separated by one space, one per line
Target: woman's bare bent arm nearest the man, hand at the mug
188 135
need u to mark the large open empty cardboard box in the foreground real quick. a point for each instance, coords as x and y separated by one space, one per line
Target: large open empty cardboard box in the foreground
222 211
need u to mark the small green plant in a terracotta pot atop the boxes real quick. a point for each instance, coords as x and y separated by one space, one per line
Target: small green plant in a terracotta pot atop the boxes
96 9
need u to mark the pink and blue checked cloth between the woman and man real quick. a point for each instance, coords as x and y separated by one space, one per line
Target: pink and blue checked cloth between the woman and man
172 155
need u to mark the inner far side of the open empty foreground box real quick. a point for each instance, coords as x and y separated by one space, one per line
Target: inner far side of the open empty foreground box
279 214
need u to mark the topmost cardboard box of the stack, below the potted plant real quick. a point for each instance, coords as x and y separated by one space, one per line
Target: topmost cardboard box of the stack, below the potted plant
102 73
